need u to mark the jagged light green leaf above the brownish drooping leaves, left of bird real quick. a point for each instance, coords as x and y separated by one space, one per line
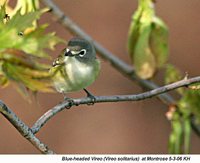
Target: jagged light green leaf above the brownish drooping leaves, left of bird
34 42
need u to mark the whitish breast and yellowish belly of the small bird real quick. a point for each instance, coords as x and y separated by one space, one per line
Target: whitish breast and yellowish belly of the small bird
75 75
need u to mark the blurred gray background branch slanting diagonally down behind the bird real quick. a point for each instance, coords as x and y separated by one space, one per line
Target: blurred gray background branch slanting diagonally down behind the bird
117 63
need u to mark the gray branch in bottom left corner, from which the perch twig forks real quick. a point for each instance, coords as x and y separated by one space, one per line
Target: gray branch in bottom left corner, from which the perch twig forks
23 129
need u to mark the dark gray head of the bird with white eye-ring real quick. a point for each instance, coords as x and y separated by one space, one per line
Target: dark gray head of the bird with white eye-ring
80 49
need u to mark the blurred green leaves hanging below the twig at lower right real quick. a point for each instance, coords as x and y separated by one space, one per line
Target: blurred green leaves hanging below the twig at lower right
188 106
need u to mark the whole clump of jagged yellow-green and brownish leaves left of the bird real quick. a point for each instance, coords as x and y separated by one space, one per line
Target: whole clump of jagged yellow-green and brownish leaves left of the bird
20 55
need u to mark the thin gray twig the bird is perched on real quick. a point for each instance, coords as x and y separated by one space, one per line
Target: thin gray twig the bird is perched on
117 98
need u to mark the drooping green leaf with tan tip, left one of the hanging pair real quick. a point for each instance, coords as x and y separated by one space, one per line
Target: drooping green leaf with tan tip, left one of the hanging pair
138 40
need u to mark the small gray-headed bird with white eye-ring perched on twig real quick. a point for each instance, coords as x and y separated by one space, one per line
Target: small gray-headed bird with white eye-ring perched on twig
75 68
